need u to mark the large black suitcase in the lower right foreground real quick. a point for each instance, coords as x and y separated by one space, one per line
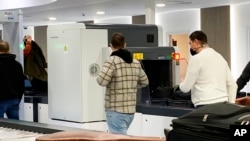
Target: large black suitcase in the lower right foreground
209 123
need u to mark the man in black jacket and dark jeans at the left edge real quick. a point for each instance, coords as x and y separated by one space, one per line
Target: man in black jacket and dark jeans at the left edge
11 82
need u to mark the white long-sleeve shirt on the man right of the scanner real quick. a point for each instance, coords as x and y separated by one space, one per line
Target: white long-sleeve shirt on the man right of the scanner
209 79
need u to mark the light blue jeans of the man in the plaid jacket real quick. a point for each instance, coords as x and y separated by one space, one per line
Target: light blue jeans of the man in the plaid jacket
118 123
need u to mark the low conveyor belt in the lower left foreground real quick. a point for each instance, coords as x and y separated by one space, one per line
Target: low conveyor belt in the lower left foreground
35 127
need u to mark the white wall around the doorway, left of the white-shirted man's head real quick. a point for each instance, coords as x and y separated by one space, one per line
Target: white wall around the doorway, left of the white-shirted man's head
178 22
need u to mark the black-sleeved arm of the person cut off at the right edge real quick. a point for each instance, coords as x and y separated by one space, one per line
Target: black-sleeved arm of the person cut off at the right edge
244 77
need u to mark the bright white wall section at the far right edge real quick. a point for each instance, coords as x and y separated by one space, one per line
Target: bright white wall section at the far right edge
240 46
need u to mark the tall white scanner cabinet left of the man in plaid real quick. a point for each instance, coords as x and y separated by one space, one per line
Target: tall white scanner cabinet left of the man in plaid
74 56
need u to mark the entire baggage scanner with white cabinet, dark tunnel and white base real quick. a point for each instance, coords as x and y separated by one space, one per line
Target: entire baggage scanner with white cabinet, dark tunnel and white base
76 53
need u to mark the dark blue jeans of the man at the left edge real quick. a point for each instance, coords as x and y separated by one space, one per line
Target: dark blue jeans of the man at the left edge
10 108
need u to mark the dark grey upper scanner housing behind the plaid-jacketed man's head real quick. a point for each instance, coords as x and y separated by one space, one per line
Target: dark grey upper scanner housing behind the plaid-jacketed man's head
139 35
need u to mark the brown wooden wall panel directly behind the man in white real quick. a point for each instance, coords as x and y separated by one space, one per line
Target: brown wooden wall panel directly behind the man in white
215 22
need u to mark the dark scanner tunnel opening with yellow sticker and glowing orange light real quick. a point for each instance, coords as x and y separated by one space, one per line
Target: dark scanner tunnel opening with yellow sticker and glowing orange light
162 66
